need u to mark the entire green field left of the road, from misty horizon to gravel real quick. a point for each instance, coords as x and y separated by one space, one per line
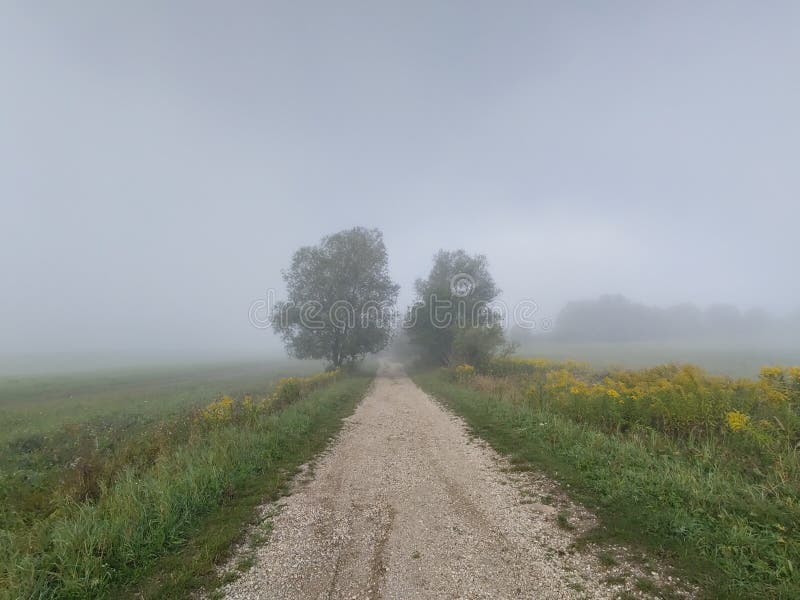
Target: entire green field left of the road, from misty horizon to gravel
137 482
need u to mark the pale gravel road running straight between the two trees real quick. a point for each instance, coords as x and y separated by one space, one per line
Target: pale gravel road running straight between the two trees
405 505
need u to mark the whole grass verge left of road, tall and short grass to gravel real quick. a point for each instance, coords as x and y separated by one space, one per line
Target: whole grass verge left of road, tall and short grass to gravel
159 534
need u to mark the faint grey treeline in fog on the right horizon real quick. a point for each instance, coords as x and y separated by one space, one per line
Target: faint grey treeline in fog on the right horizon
614 318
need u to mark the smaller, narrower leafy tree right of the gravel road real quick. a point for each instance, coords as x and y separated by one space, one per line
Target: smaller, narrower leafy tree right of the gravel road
452 318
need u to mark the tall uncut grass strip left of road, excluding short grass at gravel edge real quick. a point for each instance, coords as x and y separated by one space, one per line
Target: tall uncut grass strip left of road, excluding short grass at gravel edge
84 548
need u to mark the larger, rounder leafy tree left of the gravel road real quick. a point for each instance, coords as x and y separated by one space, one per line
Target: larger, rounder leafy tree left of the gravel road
340 298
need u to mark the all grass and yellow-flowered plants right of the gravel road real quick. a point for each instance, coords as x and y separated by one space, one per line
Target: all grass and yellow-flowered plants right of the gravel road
703 469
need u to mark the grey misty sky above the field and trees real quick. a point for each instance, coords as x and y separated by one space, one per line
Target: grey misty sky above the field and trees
160 161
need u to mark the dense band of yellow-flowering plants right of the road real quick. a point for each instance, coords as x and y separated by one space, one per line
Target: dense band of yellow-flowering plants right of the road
680 400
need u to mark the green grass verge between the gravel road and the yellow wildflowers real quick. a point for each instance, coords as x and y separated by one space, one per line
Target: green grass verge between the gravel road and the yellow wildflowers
720 530
